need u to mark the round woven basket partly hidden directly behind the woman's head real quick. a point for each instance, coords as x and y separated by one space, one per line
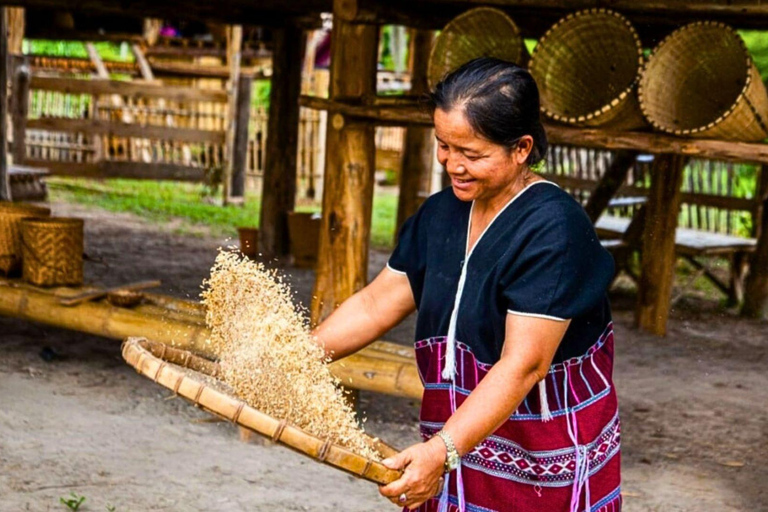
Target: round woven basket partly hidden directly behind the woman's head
480 32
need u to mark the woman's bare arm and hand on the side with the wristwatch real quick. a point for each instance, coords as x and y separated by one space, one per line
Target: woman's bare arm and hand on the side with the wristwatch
529 347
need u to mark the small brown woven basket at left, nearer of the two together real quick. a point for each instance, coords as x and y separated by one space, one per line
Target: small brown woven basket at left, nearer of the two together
52 251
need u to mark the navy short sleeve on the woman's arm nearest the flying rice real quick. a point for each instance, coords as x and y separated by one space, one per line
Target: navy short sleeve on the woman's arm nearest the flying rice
409 256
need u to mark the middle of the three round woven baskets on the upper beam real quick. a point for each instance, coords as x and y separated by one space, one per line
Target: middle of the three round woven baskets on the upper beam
587 67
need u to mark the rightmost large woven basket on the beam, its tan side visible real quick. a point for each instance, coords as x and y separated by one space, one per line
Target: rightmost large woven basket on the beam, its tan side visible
715 93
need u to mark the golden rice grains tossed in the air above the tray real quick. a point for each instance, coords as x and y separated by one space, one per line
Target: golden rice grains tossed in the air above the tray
269 357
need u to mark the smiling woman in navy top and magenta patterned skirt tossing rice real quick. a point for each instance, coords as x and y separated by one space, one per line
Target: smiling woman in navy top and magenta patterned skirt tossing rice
514 334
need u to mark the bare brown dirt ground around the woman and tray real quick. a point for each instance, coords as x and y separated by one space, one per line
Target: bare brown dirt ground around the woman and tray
694 408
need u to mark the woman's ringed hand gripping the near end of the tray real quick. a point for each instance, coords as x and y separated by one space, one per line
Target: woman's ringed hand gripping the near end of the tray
422 477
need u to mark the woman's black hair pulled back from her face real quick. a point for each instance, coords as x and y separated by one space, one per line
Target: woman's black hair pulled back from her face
500 100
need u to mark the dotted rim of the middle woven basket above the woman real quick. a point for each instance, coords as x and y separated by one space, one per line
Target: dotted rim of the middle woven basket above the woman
615 102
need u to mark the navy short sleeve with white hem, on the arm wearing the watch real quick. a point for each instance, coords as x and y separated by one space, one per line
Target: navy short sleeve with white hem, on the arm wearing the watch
562 271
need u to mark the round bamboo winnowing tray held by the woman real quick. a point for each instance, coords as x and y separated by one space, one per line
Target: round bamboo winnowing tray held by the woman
195 379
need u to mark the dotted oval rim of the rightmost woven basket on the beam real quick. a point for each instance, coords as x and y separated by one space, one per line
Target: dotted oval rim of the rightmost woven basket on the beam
666 41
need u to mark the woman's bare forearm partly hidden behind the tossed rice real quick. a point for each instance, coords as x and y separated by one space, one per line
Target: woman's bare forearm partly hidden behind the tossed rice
366 315
